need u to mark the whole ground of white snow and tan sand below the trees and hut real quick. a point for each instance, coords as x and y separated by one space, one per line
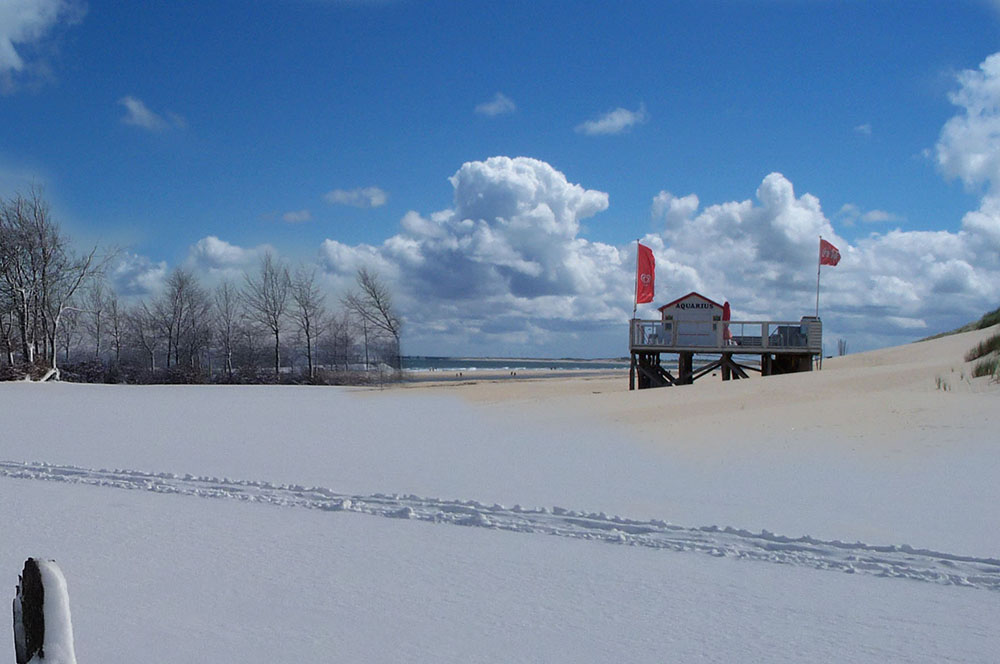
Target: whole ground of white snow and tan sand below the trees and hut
560 519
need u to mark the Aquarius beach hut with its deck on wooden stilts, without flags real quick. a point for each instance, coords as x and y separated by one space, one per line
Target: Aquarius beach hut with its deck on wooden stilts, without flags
695 324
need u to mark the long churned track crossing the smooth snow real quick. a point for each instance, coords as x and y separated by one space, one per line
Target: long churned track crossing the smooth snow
899 561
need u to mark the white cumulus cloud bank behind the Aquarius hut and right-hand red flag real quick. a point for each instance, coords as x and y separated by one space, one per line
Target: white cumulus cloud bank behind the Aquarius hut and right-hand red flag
761 255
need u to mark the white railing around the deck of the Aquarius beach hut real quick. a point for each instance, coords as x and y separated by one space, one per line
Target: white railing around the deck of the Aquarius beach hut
805 335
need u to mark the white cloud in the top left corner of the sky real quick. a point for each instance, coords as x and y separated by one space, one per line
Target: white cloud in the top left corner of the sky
24 26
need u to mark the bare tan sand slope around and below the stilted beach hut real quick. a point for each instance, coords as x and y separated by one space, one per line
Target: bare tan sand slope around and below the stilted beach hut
877 397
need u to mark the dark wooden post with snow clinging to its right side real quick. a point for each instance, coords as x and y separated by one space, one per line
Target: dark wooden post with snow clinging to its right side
43 629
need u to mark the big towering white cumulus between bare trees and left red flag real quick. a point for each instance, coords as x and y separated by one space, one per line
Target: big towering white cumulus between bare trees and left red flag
504 267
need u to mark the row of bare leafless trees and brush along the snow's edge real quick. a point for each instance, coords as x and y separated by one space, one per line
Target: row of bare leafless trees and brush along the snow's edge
60 317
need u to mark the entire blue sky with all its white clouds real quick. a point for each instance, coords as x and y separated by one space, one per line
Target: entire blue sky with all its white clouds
495 163
